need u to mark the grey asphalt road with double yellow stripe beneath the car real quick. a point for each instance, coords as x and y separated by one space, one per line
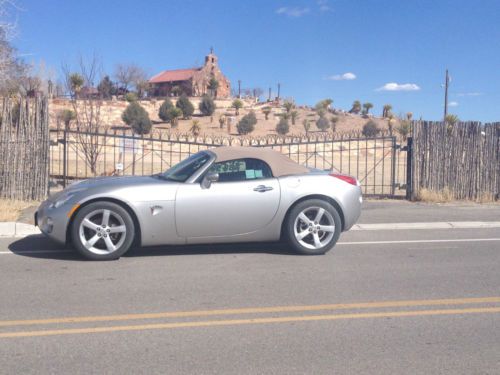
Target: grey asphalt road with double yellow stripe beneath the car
412 302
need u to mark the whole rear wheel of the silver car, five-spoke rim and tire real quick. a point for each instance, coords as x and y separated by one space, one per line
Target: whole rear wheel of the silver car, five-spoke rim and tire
313 227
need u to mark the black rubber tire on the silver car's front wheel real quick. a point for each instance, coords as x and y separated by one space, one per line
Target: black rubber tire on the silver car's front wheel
118 218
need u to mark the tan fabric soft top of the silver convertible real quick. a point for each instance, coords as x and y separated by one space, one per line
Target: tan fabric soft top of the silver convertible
280 164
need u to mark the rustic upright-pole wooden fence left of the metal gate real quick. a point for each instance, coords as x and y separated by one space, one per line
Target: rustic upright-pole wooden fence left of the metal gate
24 148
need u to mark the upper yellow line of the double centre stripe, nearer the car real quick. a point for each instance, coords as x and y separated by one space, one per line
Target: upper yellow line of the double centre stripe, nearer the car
256 310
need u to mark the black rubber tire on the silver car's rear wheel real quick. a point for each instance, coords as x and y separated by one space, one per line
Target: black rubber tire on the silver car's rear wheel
291 223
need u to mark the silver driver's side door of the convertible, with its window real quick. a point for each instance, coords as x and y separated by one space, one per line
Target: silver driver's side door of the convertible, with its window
244 199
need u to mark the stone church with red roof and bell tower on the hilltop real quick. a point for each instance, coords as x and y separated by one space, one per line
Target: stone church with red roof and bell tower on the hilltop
192 82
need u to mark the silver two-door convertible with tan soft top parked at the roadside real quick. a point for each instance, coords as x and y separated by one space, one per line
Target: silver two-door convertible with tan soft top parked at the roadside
225 194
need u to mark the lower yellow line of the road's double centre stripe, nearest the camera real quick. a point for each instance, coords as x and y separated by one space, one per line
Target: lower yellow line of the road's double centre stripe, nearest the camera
213 323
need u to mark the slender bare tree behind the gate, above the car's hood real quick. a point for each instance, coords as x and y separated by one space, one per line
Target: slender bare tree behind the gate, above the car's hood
87 109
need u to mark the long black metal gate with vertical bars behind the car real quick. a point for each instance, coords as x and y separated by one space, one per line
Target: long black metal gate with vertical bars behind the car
379 163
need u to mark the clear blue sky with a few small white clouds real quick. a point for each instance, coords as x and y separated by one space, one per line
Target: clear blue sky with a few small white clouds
306 45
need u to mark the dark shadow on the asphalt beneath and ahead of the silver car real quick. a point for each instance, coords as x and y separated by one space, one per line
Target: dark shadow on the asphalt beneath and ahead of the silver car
41 247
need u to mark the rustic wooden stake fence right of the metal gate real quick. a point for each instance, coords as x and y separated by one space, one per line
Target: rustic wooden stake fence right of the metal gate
462 160
